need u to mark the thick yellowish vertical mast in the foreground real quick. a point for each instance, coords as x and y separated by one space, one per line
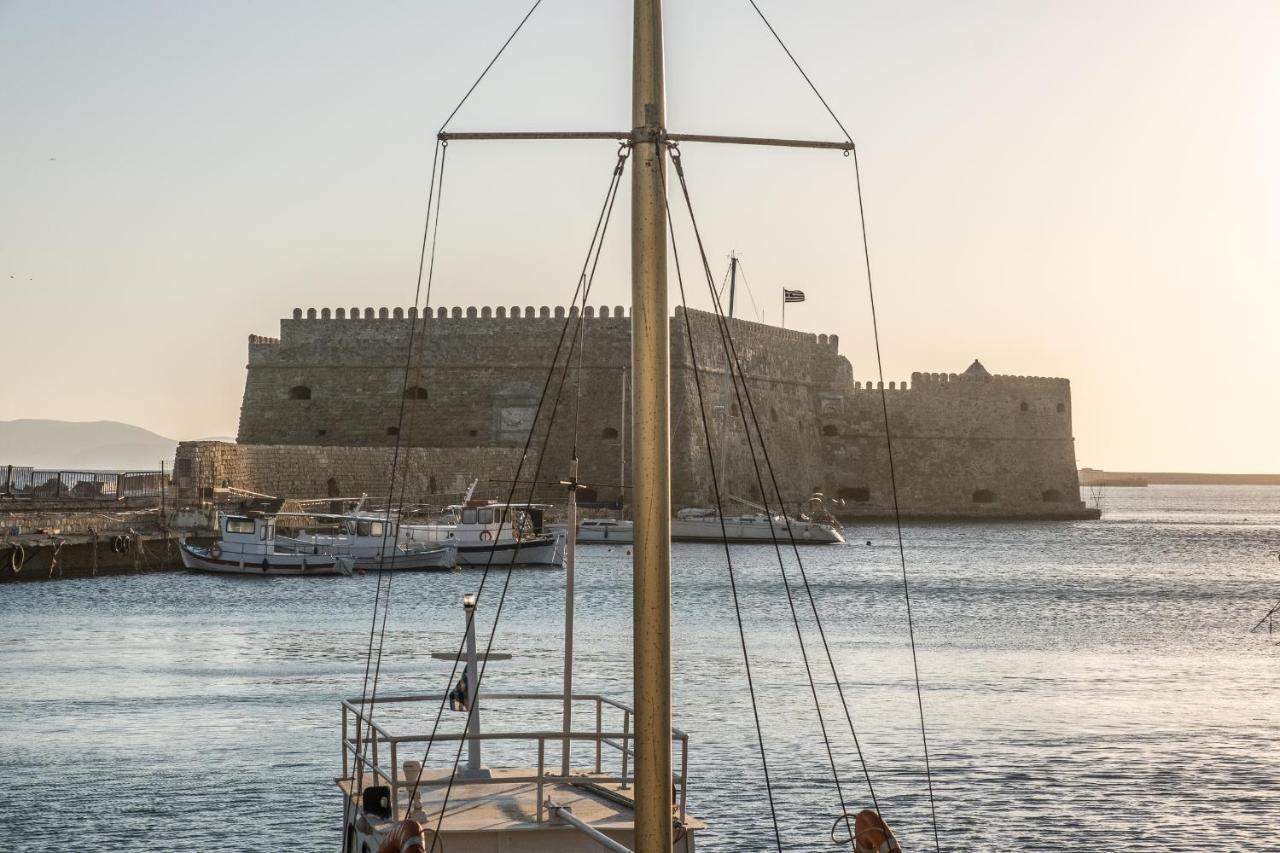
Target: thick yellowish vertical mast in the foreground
651 425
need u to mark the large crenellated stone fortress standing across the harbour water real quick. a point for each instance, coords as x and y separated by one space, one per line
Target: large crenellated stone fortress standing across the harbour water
323 403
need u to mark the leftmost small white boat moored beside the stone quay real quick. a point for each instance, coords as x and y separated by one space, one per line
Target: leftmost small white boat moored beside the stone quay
246 546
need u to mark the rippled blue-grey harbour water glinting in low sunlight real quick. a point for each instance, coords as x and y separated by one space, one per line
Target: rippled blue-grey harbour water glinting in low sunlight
1089 686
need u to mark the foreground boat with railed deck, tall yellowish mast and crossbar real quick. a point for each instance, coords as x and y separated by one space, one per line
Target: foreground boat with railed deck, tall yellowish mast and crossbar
628 796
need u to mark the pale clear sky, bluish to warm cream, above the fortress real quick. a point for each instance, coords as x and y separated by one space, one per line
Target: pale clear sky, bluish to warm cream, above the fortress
1086 190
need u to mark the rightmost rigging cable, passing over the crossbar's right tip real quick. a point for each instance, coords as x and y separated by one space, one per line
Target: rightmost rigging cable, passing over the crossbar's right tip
889 444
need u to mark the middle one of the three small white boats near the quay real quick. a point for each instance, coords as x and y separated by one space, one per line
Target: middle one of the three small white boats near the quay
371 539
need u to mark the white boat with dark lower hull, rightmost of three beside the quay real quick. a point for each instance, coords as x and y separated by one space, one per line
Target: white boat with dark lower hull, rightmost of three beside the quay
491 533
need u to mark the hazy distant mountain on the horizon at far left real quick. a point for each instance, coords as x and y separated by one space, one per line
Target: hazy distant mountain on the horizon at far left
92 446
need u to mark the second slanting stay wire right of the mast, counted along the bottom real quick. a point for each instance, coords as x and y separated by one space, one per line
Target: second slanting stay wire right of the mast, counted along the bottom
746 408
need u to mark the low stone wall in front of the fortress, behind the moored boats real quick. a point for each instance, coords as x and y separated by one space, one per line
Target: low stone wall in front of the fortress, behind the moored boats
301 472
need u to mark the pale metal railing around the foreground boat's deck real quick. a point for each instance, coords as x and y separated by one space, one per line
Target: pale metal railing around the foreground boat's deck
365 745
